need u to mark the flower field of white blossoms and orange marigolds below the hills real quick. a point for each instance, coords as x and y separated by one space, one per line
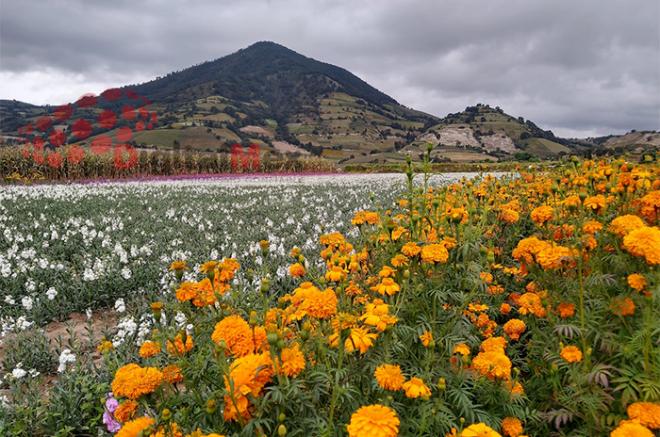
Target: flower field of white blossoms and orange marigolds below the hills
362 306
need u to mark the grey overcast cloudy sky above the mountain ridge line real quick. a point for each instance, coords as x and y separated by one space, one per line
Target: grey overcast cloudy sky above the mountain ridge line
578 67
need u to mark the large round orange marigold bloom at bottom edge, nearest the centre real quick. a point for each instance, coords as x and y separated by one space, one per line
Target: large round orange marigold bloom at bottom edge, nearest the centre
374 421
